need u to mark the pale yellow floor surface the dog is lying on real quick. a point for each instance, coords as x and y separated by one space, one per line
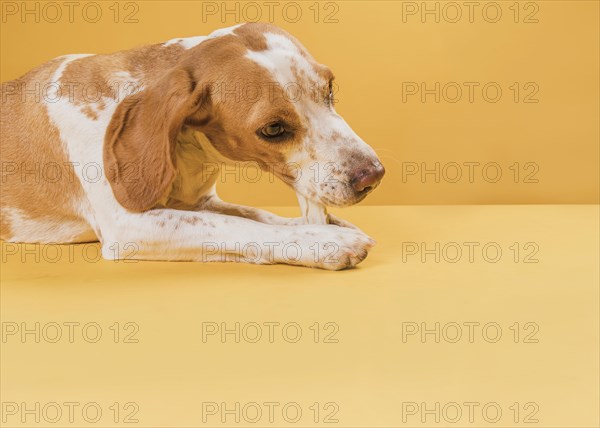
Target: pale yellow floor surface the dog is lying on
500 330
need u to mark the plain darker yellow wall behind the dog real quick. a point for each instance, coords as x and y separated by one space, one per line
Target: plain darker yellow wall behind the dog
372 51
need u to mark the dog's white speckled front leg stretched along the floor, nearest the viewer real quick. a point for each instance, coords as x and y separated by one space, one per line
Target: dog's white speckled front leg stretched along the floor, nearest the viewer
167 234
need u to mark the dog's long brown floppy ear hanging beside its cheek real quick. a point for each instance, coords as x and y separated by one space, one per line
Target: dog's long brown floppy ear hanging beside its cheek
140 140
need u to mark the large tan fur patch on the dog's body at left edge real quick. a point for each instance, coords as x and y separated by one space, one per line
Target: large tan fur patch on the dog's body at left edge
29 142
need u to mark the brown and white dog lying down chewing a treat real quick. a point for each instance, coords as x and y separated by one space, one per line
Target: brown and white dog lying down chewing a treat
86 158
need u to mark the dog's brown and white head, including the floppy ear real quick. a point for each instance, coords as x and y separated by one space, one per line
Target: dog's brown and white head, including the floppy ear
257 95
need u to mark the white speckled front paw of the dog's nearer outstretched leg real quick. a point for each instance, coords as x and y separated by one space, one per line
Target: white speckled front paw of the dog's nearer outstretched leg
335 248
